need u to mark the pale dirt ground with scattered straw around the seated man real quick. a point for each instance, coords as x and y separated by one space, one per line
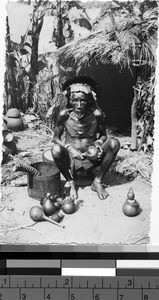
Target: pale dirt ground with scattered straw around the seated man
94 222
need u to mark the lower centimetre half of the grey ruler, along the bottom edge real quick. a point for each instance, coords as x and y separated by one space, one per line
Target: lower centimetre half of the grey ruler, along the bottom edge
78 294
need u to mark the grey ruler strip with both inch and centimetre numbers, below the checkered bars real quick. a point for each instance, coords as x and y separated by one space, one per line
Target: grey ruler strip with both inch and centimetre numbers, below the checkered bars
77 288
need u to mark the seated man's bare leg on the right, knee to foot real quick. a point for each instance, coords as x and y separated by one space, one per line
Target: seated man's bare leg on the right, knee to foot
110 149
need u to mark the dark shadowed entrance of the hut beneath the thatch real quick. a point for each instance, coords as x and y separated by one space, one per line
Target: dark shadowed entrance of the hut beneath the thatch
116 93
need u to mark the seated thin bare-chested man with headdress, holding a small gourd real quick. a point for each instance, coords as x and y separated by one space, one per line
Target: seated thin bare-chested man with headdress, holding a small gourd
84 126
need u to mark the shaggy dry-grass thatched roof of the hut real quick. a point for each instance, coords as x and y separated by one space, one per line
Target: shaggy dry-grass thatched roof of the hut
129 42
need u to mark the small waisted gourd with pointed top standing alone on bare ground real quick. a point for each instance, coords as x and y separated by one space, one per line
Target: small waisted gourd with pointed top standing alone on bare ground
131 207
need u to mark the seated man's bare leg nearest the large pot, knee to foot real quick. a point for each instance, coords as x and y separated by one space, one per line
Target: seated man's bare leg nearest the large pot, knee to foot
62 161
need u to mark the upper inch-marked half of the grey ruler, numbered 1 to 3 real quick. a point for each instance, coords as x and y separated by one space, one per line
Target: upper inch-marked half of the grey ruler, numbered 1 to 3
122 282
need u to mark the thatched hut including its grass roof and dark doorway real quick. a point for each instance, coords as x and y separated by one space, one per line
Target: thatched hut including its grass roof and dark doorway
114 54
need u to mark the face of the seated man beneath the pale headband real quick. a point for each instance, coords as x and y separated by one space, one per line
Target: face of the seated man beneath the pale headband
79 103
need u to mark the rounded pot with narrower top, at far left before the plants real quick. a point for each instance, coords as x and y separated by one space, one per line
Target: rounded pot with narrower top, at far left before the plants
14 120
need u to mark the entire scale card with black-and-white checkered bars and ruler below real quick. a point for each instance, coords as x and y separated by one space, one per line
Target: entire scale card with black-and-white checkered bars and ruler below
129 279
